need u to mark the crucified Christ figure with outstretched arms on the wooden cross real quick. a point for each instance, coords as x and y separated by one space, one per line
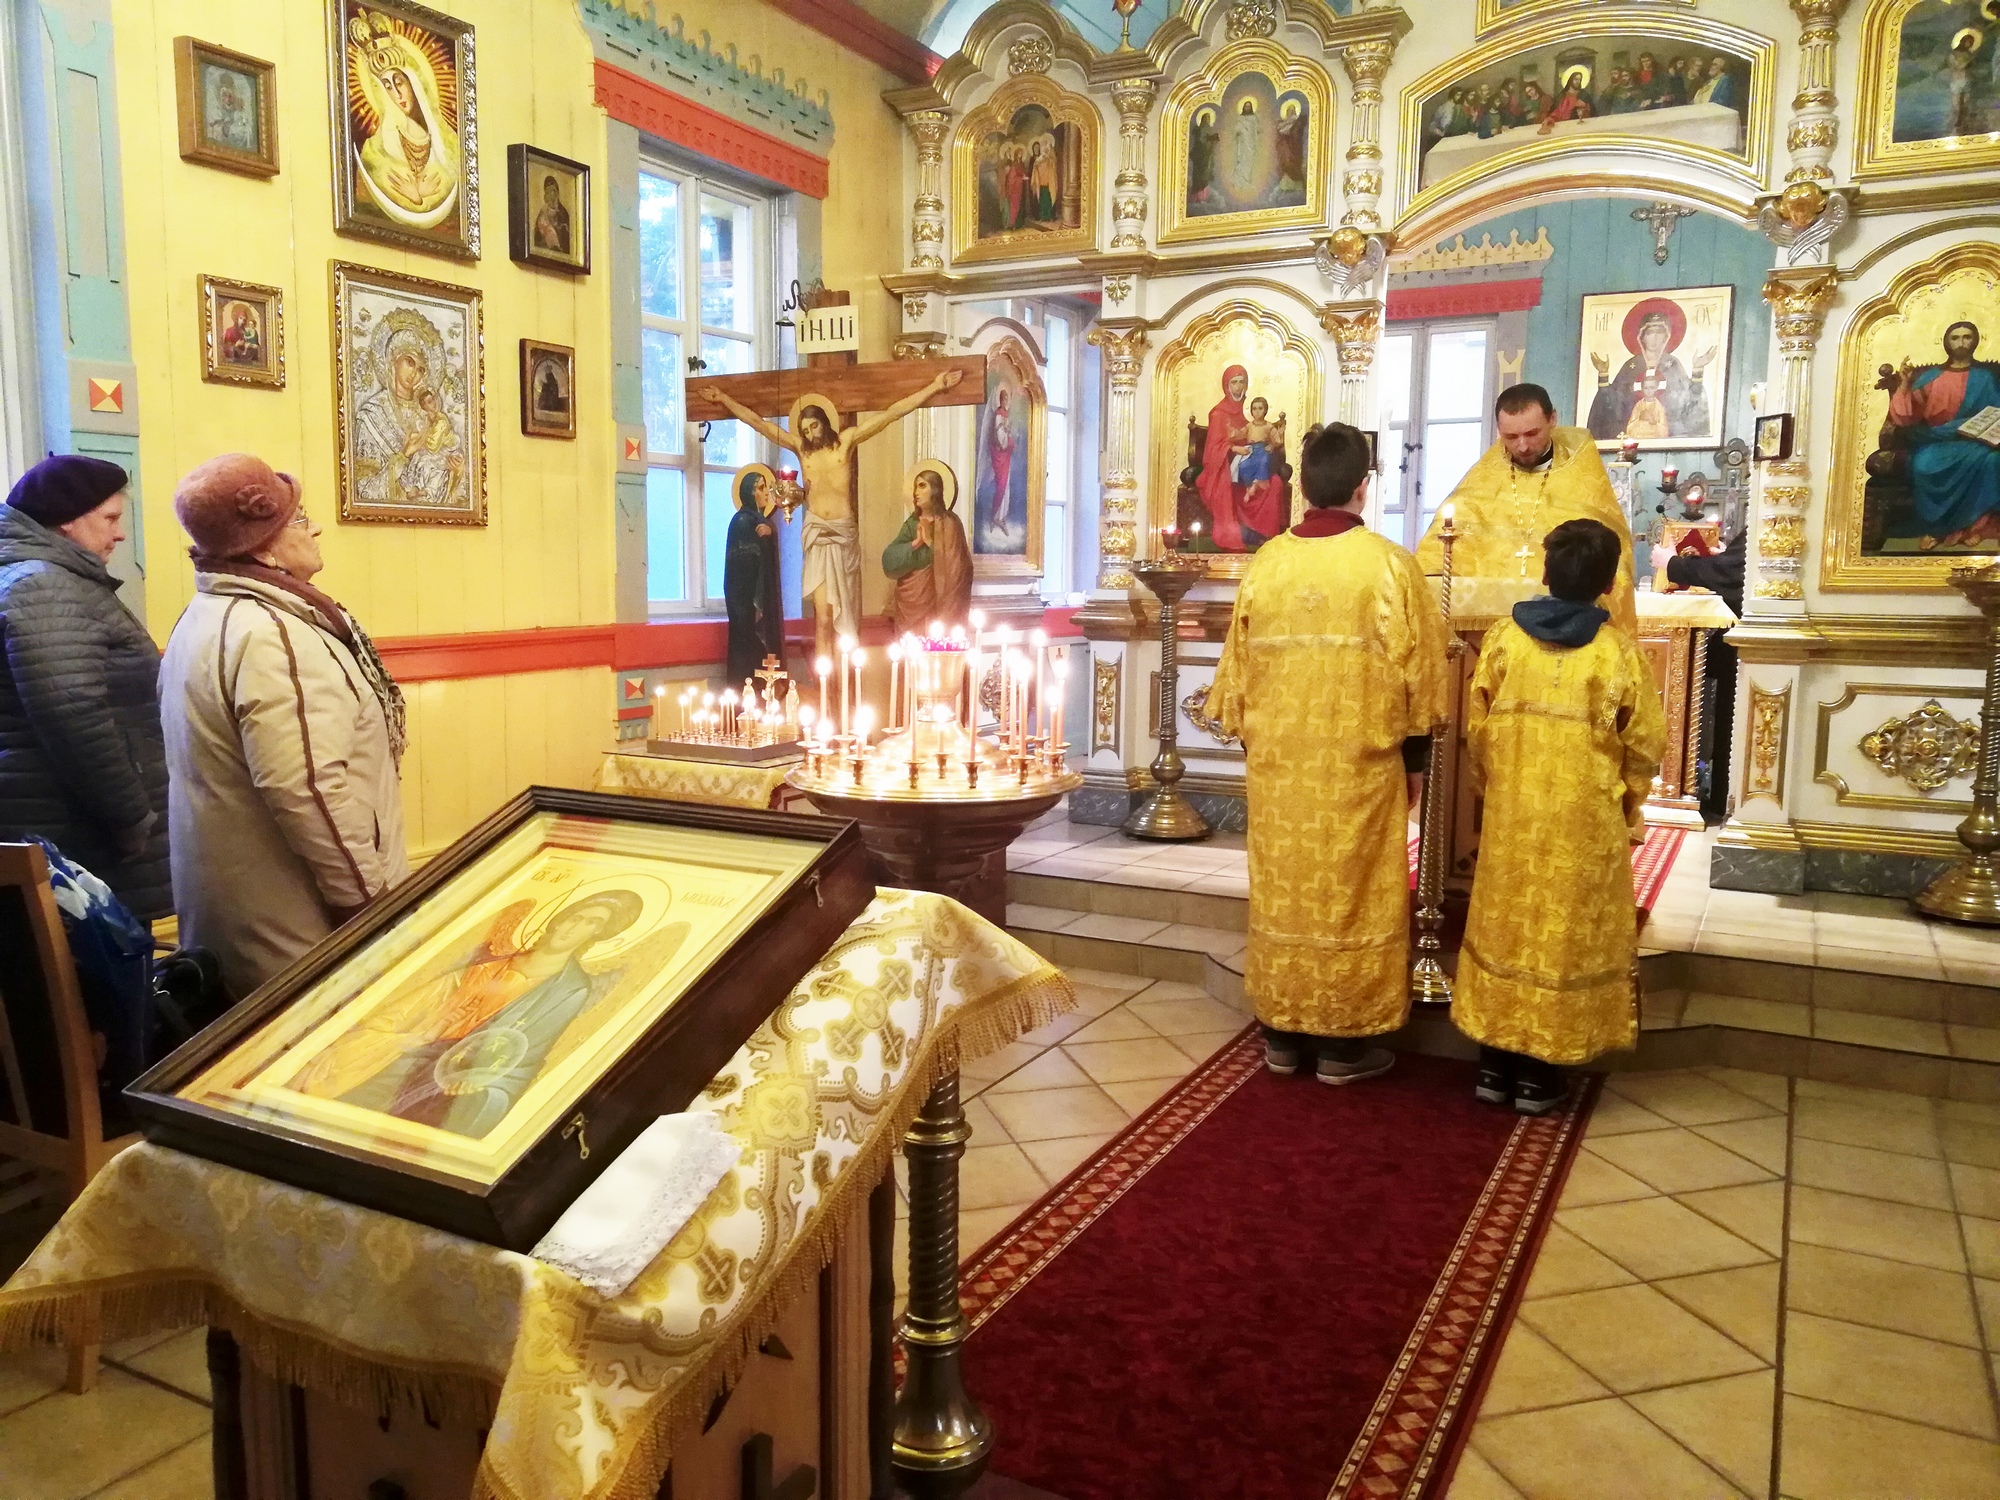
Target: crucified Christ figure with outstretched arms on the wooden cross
831 537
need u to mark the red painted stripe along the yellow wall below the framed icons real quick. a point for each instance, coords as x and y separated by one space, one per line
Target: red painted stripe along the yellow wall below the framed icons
621 647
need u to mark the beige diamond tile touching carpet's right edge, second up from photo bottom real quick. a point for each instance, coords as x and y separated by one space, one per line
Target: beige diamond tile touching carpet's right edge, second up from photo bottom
1635 1339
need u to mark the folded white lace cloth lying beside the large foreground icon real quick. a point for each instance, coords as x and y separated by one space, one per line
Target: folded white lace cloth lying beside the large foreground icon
627 1217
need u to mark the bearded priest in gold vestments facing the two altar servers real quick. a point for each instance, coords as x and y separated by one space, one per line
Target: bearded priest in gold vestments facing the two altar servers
1533 479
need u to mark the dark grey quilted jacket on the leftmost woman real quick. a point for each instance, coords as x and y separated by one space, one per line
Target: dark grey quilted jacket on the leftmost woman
81 751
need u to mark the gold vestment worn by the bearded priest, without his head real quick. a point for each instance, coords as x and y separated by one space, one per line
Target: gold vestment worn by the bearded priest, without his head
1503 515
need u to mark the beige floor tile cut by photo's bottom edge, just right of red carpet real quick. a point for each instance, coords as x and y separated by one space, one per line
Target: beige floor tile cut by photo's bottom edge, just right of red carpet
1593 1453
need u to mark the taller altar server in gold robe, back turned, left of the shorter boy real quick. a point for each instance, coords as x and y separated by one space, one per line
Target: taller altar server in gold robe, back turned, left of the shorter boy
1333 677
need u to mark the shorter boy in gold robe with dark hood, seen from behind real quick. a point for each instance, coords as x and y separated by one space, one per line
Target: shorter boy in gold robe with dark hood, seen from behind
1565 737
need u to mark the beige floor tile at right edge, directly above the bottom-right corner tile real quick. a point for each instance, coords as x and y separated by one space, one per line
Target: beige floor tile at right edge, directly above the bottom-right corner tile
1889 1373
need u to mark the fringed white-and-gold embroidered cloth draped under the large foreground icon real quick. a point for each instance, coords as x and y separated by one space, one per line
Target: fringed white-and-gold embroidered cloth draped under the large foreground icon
583 1395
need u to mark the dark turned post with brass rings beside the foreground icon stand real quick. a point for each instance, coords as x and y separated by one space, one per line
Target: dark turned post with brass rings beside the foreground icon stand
943 1437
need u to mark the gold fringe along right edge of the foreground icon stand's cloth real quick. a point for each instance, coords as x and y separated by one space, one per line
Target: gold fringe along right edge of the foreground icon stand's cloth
979 1031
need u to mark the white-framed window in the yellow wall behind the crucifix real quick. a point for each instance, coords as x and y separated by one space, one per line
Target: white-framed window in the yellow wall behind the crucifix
705 293
